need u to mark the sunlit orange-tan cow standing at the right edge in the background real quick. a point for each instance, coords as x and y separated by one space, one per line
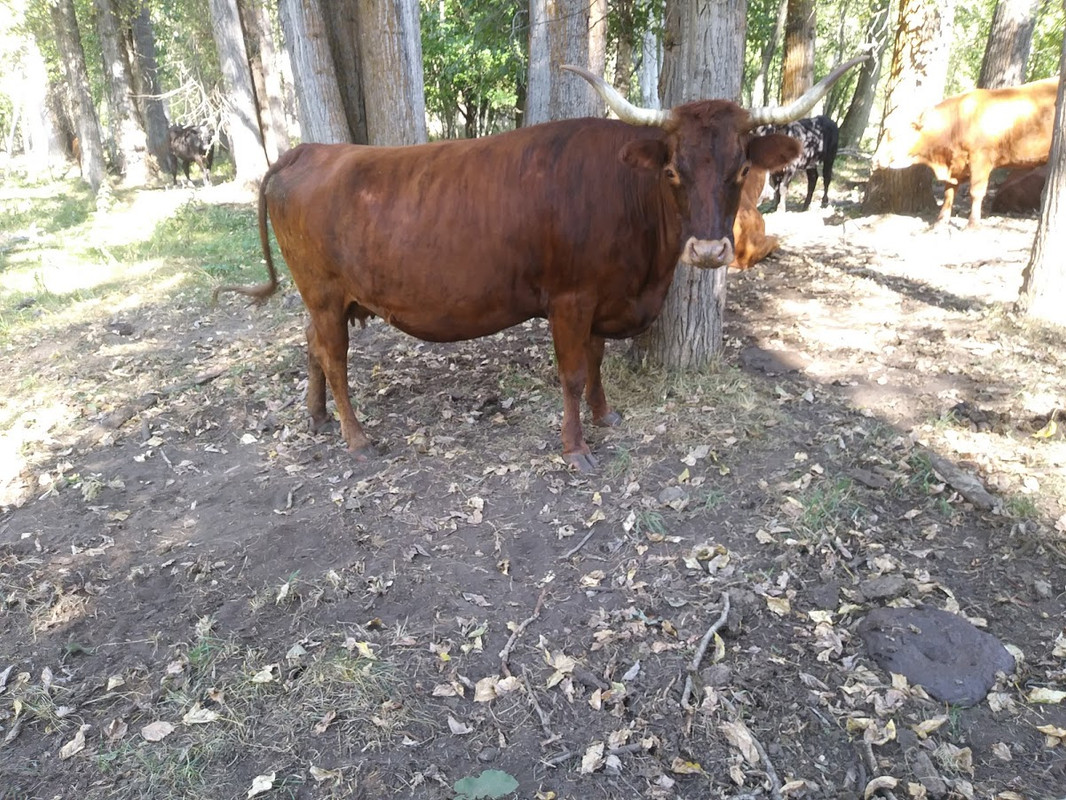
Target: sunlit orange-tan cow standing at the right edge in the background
971 135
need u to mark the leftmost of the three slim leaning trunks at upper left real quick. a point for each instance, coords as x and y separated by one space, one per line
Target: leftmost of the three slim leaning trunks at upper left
73 65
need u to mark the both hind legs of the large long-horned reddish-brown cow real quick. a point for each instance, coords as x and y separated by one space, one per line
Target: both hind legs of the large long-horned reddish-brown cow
328 363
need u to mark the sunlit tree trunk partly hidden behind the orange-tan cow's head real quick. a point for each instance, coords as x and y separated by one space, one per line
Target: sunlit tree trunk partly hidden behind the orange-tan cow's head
916 82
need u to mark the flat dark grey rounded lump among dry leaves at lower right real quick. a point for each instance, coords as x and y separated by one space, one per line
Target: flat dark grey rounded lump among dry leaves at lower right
948 657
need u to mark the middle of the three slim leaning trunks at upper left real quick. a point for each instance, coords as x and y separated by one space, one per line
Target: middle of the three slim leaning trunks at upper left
132 142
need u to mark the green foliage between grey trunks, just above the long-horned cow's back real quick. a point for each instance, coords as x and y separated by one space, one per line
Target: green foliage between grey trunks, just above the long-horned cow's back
474 57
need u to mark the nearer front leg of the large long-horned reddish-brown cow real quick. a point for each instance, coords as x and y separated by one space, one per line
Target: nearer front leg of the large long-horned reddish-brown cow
571 331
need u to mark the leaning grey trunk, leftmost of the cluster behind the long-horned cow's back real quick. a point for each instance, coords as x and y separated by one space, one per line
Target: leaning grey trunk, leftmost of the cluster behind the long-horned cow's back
319 101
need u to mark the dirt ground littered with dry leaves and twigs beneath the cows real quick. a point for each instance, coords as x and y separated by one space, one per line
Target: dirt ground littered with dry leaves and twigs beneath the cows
201 599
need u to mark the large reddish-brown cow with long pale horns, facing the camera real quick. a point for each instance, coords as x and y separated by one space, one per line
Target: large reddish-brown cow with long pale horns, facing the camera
579 221
